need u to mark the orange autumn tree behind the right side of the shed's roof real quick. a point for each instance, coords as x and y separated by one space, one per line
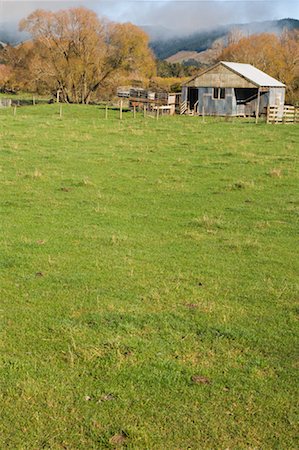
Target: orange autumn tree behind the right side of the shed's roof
276 55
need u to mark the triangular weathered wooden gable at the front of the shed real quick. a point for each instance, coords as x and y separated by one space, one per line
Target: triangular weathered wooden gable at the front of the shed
220 76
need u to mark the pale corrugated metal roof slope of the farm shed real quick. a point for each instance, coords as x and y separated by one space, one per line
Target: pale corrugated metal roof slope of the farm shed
253 74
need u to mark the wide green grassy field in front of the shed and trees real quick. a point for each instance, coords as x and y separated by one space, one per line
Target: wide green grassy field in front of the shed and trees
148 282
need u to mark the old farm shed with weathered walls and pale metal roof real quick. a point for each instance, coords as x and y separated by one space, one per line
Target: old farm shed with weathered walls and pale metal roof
232 89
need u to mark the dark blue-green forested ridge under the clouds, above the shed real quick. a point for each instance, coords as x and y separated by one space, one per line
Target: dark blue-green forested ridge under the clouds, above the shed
198 42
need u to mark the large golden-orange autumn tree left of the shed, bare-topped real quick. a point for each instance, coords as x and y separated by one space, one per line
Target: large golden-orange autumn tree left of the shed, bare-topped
77 53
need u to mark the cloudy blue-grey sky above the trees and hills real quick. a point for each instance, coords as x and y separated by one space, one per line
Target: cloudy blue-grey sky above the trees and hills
182 16
